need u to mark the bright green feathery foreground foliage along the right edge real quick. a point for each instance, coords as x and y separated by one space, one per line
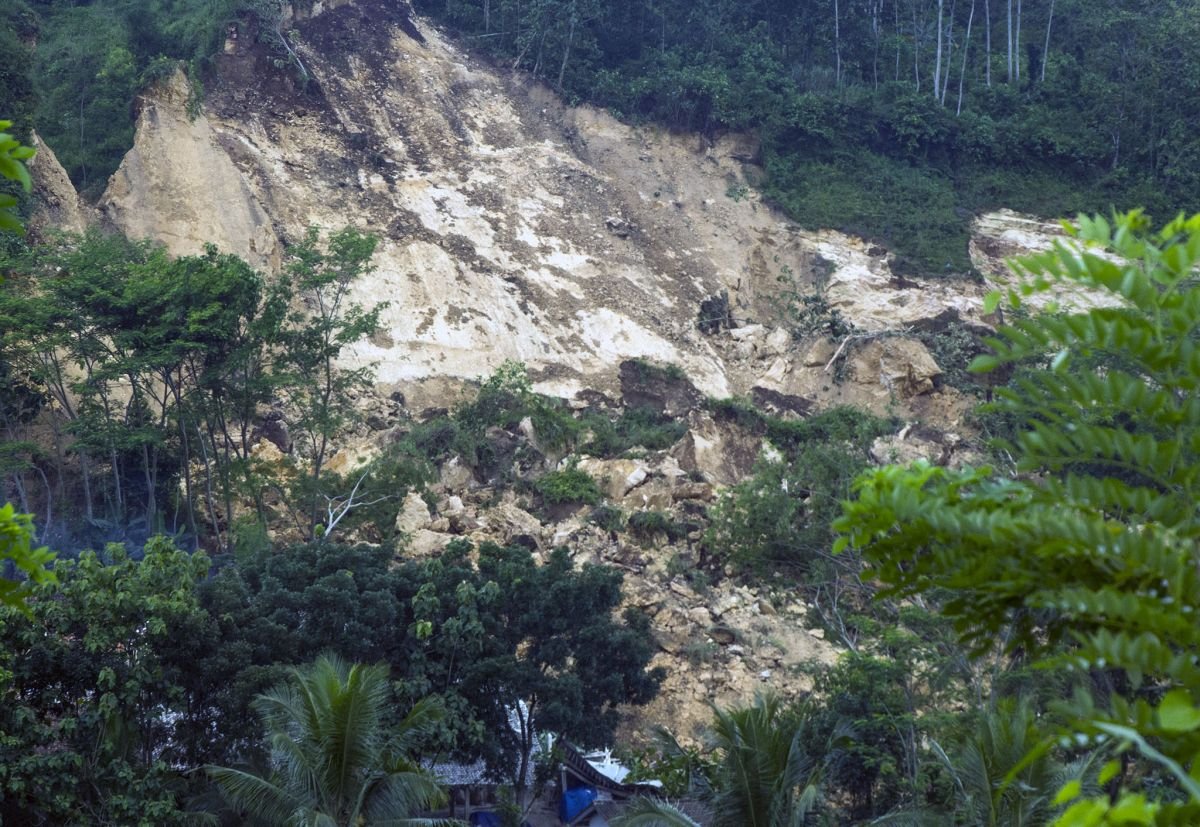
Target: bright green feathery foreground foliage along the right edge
1094 549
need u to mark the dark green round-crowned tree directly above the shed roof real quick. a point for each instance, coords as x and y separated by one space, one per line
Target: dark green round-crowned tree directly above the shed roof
532 644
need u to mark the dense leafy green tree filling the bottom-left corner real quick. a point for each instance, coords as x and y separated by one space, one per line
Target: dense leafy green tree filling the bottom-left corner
97 712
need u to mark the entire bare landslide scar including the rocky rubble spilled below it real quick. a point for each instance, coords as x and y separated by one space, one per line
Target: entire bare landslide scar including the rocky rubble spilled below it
515 227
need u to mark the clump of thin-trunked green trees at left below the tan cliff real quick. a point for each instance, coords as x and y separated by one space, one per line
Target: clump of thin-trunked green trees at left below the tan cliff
149 367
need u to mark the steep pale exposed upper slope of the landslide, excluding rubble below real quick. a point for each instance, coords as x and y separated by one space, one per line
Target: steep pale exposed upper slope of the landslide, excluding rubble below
512 227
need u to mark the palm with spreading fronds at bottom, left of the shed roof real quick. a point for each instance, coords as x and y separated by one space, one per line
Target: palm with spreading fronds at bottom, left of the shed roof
333 762
